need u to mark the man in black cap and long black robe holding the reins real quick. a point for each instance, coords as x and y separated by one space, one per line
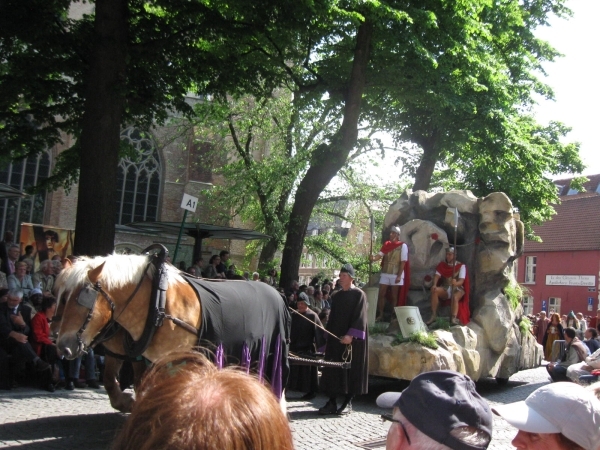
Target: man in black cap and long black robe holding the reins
348 321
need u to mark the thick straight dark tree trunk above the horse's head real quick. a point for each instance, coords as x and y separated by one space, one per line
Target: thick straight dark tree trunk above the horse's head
101 125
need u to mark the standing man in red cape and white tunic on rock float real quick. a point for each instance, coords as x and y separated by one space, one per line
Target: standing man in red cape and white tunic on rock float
395 271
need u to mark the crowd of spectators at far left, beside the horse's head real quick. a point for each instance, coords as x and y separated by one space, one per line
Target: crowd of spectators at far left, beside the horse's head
27 305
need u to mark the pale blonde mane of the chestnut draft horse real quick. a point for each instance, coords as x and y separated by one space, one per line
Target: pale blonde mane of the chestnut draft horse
118 272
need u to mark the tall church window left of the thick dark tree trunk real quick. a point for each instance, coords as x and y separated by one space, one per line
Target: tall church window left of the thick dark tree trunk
21 175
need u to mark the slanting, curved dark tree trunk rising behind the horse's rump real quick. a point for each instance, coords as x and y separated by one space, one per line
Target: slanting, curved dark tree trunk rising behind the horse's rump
336 153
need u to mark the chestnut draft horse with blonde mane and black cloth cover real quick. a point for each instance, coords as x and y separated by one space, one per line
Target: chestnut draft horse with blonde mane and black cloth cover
161 310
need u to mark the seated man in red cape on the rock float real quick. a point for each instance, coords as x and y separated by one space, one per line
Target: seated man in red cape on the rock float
448 285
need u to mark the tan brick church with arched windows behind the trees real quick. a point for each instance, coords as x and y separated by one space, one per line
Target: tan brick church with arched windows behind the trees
149 189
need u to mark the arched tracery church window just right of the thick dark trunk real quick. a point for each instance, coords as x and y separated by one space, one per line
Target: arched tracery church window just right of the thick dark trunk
138 181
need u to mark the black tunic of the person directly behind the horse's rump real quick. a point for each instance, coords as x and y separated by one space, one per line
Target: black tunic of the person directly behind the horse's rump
304 338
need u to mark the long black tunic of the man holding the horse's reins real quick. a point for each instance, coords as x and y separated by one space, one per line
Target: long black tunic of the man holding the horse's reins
348 317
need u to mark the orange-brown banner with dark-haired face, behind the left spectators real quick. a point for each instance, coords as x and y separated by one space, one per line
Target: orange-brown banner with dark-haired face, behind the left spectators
46 241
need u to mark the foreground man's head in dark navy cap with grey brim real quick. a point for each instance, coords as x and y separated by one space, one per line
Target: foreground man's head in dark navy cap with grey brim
439 410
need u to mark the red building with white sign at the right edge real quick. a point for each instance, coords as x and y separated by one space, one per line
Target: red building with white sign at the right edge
563 271
